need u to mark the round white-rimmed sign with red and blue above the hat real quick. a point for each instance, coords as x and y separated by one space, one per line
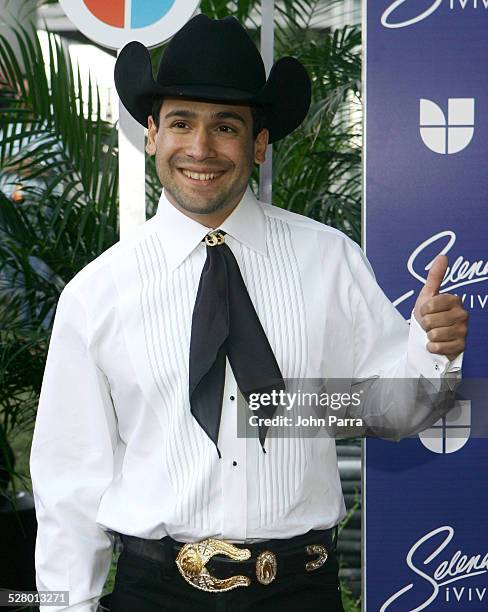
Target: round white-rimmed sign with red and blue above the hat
113 24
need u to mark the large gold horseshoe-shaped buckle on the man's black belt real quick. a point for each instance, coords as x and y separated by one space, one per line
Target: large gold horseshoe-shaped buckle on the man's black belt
193 557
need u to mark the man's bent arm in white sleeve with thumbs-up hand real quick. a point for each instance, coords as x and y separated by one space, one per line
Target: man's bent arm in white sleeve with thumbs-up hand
405 380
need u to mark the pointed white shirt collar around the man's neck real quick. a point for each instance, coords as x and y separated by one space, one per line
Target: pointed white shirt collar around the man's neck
181 234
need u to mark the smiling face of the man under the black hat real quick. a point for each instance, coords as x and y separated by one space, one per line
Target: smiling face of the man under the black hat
204 154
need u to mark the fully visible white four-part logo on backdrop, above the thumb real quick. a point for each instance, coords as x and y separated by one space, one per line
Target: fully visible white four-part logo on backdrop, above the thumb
451 135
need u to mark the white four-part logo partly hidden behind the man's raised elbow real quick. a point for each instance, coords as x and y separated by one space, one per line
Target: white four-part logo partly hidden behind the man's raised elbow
450 433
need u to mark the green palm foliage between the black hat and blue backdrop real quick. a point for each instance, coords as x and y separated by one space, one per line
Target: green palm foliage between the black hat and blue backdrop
317 170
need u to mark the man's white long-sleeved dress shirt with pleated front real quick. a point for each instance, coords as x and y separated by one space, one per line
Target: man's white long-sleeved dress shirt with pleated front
115 446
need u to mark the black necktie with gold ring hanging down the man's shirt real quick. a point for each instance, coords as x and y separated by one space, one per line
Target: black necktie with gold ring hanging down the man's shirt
225 323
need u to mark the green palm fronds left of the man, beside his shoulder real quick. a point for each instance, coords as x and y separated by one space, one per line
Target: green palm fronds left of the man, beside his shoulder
53 143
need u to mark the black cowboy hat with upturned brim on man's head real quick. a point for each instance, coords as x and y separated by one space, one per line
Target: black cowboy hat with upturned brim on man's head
215 60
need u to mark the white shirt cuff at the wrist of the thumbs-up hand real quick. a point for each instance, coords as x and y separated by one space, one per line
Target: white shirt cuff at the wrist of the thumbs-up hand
428 364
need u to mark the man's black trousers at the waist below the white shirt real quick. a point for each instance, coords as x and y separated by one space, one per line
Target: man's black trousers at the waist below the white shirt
144 585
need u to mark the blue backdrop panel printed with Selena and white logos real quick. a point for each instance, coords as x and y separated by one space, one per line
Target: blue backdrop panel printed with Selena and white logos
426 191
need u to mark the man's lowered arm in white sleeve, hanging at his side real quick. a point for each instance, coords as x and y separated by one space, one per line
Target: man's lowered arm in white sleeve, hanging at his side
72 463
